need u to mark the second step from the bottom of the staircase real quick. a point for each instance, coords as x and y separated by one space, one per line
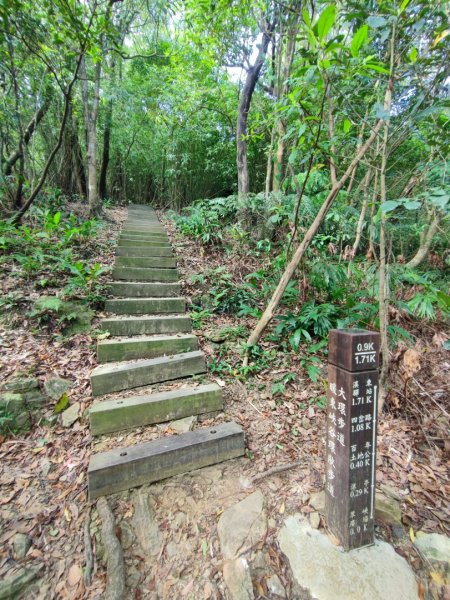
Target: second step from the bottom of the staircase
108 416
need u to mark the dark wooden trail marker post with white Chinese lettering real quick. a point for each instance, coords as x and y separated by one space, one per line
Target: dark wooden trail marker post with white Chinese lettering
352 435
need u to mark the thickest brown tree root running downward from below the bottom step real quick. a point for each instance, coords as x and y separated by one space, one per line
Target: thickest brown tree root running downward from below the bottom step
115 568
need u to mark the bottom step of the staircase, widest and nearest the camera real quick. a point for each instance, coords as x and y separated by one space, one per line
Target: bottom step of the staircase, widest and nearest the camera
126 468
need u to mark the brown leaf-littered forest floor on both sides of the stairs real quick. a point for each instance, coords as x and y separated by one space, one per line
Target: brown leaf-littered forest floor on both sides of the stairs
43 473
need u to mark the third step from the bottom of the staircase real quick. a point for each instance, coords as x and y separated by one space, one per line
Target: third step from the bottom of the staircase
116 377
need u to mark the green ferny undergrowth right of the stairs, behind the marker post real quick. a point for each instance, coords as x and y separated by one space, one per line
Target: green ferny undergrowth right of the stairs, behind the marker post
330 289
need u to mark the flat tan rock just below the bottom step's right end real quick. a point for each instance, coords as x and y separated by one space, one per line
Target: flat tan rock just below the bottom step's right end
242 525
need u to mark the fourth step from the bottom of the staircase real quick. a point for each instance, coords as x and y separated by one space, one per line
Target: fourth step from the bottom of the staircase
145 347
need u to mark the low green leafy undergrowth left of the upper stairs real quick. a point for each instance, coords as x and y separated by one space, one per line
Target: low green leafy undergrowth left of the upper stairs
50 272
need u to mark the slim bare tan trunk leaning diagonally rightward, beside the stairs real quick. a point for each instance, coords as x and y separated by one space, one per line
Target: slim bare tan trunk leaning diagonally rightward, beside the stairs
309 235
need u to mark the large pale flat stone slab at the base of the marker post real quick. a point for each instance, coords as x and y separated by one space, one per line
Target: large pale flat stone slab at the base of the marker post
373 573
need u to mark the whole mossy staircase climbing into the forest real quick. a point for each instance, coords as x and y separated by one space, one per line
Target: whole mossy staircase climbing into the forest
151 343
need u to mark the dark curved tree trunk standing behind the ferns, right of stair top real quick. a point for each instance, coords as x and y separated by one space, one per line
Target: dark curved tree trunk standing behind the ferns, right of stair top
244 106
